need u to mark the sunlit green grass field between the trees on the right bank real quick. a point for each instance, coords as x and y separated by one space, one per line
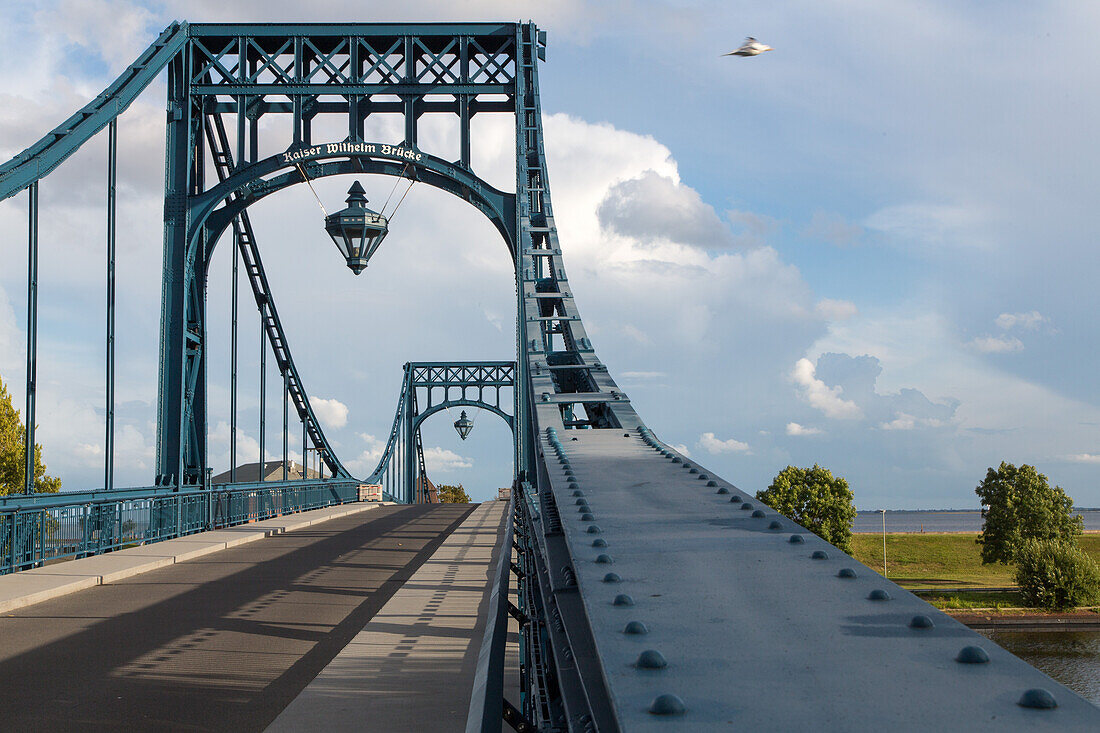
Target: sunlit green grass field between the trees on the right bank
941 561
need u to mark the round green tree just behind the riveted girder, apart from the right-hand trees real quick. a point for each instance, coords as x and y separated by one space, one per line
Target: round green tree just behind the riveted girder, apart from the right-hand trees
817 500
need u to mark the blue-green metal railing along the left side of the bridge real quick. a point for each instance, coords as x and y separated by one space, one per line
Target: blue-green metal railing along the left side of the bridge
40 529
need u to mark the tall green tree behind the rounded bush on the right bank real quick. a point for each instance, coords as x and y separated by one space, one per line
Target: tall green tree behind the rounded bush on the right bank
1019 505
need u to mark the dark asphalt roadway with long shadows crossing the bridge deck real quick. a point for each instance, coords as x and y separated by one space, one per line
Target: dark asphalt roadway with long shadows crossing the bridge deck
222 643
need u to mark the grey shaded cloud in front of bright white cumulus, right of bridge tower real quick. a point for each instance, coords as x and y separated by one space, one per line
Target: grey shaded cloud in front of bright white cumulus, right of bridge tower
657 209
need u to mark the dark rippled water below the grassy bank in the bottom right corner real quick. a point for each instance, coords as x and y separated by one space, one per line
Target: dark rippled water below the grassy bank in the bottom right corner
1071 658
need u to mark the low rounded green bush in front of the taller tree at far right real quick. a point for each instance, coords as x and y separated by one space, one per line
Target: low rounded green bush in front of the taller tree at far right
1057 575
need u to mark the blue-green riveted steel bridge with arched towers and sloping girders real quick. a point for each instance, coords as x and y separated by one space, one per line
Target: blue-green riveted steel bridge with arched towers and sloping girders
651 593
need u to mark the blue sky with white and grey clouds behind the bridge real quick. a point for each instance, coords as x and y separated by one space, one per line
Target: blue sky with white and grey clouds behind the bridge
872 248
